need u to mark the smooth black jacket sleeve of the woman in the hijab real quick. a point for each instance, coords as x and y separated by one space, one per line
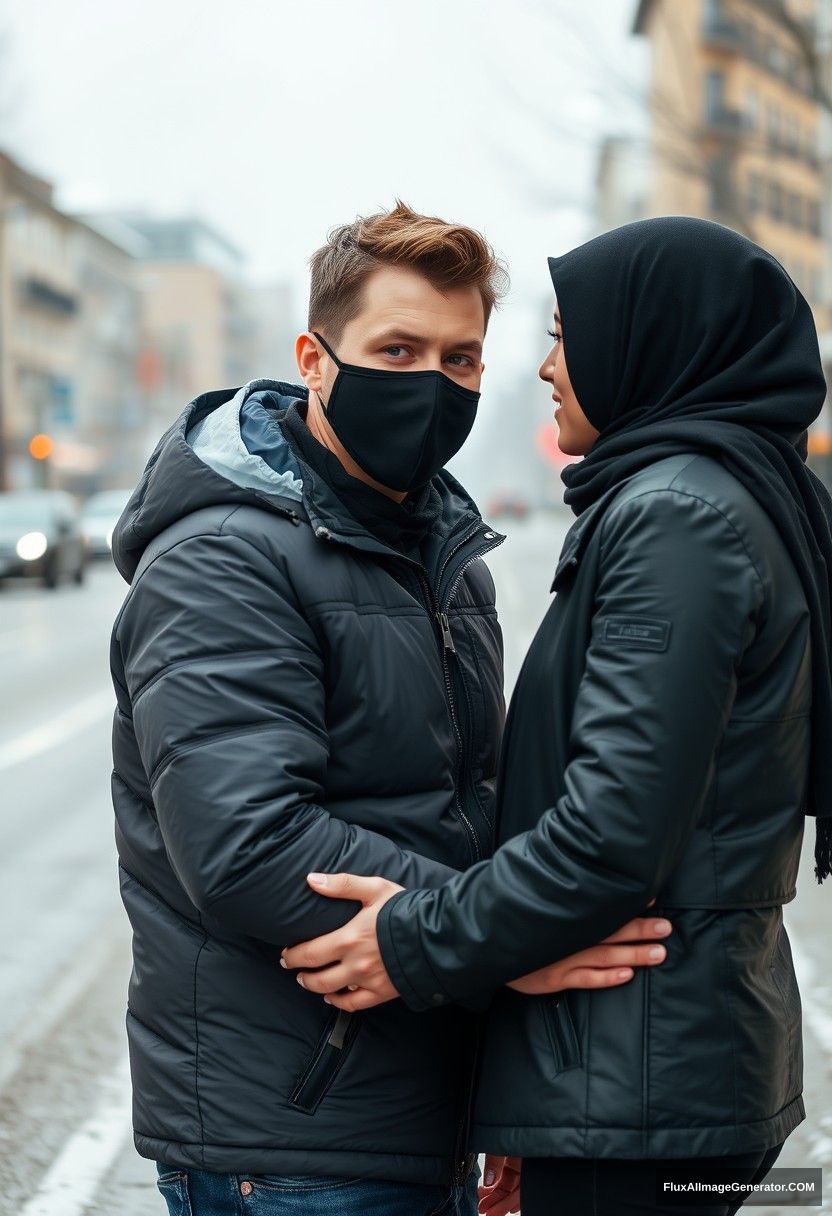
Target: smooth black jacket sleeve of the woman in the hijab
649 717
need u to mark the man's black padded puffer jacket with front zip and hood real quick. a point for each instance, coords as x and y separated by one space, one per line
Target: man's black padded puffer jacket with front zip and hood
293 696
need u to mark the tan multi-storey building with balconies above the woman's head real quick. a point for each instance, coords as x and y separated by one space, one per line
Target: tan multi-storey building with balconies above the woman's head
739 133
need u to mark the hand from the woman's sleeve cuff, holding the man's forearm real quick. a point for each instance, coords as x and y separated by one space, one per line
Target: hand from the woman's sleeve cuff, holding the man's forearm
350 958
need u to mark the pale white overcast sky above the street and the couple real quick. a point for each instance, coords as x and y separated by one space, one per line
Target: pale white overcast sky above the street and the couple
278 120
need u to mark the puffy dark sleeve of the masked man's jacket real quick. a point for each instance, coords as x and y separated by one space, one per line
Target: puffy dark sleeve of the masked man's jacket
228 696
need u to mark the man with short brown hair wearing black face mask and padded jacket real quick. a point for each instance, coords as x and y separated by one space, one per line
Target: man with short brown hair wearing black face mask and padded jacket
308 671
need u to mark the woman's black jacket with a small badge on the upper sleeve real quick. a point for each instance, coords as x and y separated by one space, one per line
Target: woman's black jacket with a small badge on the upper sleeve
657 745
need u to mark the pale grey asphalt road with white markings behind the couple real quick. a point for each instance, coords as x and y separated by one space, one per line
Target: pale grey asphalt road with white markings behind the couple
65 1108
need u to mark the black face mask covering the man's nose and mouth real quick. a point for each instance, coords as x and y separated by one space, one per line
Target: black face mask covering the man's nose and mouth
400 427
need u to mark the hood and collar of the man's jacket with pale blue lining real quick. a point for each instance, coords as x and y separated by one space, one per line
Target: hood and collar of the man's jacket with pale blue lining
226 448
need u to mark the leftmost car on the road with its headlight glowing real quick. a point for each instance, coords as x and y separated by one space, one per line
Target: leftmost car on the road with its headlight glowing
41 537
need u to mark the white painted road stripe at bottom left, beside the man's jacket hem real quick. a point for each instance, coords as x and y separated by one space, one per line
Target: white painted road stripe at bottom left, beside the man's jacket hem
71 1184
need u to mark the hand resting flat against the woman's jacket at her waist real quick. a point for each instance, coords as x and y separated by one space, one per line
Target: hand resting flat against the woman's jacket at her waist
604 966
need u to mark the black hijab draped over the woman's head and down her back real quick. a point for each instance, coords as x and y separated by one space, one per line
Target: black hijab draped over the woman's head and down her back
682 335
